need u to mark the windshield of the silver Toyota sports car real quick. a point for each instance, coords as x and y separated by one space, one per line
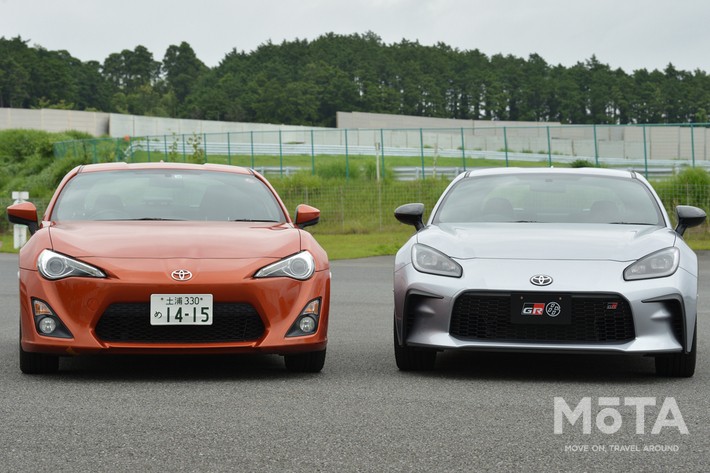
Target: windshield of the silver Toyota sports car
550 198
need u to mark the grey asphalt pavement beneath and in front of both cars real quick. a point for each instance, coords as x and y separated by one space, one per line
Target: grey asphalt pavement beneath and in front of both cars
476 412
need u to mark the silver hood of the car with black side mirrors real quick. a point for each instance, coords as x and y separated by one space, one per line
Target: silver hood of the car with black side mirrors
547 240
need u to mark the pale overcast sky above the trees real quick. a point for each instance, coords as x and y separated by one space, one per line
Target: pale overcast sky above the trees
626 34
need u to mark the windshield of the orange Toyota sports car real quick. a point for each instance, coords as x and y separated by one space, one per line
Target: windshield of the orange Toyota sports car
166 195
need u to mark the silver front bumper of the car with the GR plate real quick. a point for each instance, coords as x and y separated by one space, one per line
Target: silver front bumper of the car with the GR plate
662 310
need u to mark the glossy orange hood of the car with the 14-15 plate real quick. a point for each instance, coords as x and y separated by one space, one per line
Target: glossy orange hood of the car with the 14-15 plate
155 239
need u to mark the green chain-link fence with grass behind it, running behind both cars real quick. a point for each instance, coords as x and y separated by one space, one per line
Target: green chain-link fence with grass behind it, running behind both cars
377 170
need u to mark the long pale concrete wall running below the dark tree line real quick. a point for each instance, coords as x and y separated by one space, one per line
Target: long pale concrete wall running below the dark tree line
371 131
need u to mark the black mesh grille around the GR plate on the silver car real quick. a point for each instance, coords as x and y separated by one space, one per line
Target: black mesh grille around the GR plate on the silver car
488 317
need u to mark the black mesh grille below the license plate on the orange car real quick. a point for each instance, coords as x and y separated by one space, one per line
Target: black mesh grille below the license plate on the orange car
232 322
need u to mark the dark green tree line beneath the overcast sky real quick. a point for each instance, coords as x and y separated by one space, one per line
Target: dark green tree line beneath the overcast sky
303 82
